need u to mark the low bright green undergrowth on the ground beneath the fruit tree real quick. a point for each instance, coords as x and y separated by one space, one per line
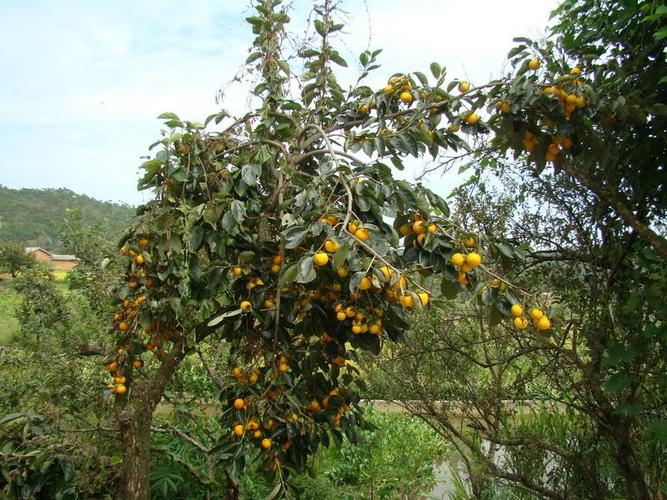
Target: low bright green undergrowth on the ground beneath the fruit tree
395 458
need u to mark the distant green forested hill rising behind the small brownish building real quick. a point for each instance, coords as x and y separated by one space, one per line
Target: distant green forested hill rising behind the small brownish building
33 217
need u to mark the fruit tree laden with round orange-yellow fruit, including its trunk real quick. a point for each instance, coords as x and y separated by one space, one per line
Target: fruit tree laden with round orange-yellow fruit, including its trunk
285 233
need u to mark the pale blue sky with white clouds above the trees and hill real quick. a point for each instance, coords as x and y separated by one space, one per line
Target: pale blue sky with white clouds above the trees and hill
82 82
